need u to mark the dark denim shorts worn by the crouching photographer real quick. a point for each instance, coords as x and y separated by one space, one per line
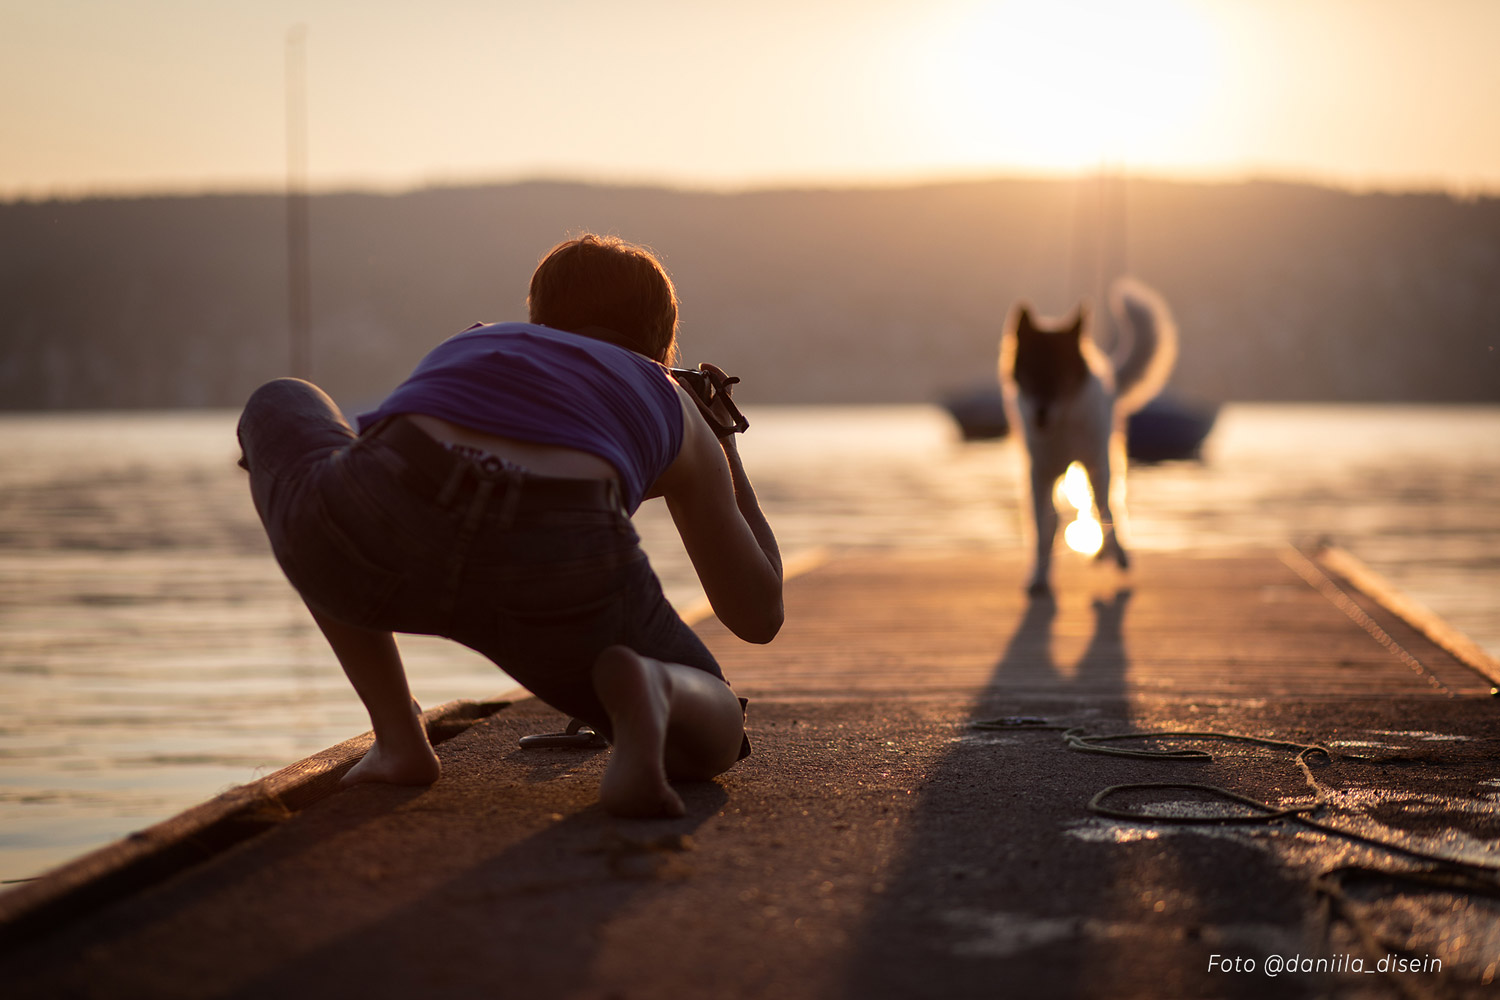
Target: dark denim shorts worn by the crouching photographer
391 530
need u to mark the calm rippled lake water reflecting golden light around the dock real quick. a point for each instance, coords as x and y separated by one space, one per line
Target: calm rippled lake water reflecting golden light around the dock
152 654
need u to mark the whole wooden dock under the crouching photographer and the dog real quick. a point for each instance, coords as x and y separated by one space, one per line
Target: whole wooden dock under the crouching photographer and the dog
877 845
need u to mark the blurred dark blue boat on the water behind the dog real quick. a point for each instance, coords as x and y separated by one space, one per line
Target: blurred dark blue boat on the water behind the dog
1168 430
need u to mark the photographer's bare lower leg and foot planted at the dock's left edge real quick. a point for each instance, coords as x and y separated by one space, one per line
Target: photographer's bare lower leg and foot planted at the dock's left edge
401 753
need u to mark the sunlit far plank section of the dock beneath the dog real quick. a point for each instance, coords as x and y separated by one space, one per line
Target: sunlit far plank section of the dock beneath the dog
1223 626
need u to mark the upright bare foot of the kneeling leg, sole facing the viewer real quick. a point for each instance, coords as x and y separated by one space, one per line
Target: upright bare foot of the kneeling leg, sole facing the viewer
638 696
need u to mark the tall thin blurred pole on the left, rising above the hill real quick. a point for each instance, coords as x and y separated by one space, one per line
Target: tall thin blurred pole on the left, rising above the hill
299 277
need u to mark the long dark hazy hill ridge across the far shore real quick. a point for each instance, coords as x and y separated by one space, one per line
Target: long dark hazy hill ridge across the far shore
1282 292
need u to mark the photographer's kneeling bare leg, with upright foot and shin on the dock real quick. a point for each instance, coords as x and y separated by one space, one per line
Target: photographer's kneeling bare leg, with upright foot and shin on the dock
670 722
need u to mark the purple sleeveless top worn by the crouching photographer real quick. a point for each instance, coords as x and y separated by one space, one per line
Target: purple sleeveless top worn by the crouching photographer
545 386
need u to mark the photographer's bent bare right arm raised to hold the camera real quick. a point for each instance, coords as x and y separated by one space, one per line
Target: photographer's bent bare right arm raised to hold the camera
725 533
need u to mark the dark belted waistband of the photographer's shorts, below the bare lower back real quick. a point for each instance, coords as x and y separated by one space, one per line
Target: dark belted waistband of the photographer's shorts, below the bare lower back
440 469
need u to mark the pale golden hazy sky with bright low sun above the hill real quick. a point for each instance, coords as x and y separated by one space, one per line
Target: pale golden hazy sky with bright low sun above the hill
191 95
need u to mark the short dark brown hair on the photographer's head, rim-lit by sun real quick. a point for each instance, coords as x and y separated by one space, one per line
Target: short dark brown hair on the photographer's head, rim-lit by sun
611 286
